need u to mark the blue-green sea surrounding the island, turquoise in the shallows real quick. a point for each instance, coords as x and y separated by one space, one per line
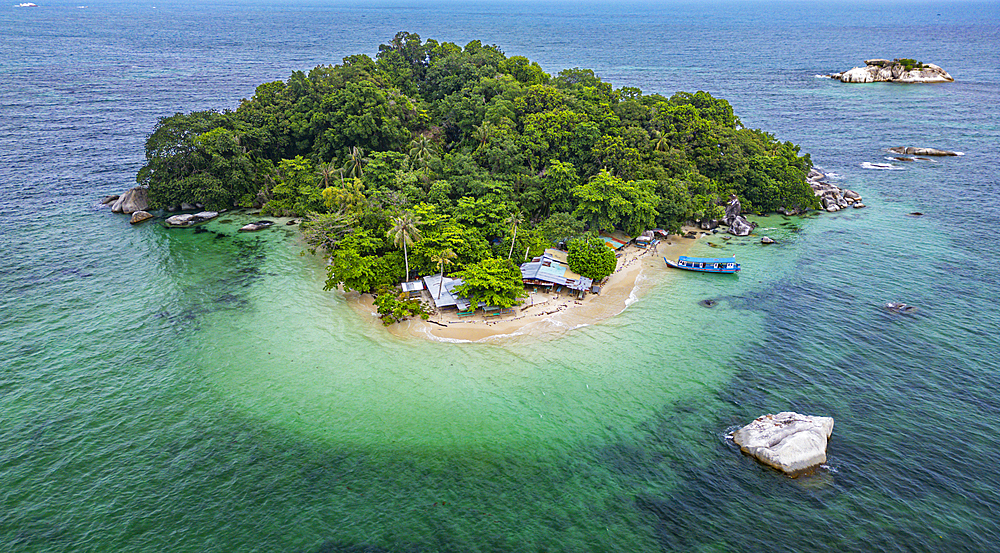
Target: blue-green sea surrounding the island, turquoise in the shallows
172 390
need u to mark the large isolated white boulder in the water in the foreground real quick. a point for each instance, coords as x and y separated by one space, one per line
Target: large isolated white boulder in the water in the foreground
789 442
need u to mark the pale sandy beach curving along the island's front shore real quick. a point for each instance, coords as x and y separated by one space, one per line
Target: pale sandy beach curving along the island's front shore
544 314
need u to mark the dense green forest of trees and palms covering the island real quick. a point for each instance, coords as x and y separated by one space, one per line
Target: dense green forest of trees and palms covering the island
436 158
